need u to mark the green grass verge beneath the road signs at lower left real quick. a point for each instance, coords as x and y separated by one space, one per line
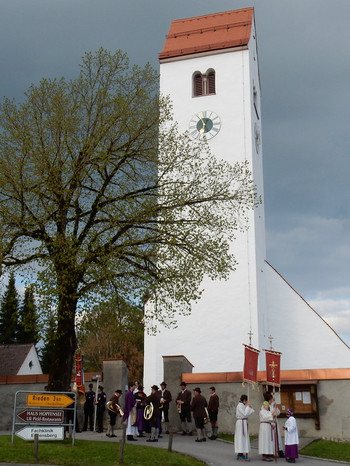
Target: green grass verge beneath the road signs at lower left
89 453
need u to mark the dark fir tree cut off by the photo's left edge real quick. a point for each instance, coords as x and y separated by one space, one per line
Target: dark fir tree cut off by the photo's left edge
9 314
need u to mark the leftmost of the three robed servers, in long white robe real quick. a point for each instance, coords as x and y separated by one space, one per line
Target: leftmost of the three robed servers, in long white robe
242 441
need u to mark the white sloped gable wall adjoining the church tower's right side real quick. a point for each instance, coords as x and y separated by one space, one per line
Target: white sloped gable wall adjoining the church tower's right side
304 338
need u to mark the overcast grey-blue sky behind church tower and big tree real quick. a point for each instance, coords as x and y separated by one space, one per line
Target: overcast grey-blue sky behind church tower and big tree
305 77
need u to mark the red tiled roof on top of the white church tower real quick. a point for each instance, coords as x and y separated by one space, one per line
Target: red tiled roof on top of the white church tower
210 32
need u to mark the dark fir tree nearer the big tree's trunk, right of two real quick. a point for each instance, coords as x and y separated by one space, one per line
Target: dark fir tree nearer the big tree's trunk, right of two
28 319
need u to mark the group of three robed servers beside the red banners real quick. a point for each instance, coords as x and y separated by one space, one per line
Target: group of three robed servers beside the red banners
270 439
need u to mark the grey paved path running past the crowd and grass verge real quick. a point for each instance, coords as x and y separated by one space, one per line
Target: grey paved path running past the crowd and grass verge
212 452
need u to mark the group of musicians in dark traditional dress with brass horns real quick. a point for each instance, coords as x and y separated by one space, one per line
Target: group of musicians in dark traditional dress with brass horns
142 414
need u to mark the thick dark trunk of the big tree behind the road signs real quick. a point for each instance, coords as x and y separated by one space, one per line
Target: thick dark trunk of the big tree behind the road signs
65 345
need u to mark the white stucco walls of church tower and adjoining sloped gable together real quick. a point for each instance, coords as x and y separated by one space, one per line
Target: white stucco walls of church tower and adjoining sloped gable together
255 298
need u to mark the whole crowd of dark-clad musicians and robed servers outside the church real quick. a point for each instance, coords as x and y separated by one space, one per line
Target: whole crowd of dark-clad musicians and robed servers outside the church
142 414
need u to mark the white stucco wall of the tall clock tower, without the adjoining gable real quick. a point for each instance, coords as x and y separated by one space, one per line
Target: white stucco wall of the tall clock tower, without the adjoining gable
211 337
